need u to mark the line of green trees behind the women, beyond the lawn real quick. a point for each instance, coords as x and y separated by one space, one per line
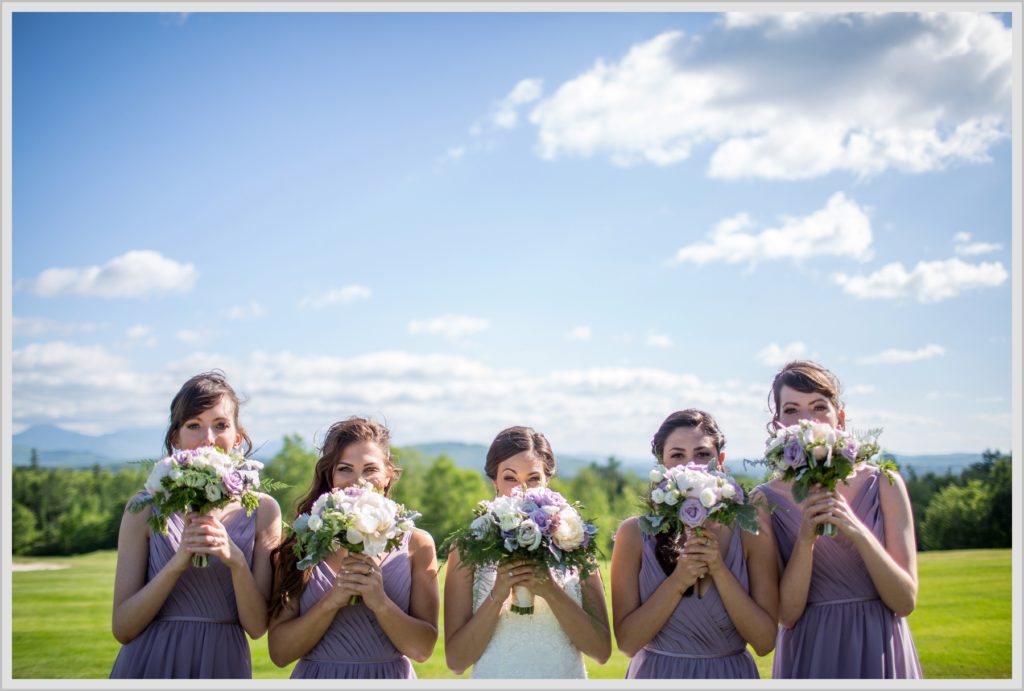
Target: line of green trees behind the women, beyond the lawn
65 511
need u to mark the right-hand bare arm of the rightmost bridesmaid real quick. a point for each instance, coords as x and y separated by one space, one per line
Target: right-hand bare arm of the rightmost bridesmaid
893 568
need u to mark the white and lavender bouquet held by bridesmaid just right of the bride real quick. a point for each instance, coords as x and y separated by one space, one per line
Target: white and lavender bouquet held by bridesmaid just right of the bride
682 498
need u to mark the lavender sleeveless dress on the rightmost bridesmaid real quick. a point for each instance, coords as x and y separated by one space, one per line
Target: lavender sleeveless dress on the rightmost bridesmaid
846 632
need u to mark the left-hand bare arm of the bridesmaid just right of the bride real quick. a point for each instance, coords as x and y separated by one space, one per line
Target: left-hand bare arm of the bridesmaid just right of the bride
637 624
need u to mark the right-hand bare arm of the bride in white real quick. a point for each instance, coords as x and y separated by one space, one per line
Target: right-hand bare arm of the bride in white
586 625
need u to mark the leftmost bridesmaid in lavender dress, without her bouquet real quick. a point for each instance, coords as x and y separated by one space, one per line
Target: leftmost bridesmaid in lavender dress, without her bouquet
176 621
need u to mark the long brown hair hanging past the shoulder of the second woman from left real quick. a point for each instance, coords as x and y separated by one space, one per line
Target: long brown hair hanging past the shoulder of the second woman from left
289 581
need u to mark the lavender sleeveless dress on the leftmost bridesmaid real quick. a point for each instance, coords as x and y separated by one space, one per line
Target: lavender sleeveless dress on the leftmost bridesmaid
197 633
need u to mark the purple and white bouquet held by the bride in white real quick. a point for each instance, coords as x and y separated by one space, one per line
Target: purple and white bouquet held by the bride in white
536 526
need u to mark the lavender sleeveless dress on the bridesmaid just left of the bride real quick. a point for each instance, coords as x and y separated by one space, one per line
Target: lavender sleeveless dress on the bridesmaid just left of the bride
355 646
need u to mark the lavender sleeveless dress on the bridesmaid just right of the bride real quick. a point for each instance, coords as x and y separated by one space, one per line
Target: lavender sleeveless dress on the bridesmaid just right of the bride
699 640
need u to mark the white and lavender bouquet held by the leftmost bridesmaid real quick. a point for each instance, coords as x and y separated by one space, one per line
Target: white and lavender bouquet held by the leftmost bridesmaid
200 481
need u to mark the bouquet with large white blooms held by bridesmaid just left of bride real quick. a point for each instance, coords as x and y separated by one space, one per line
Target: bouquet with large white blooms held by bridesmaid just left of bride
359 519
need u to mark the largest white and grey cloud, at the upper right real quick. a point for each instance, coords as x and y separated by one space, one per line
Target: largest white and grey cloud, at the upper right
795 97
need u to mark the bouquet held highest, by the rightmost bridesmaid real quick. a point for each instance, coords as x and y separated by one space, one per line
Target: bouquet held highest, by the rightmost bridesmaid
808 454
